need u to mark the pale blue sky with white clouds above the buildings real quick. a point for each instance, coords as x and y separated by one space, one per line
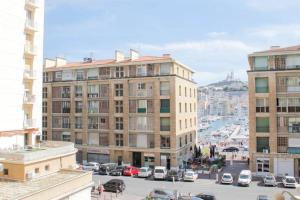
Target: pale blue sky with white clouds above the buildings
213 37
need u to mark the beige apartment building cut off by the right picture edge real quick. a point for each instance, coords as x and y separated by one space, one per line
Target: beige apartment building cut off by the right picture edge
274 112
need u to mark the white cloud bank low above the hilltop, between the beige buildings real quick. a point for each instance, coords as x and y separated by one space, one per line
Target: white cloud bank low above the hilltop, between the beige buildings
212 60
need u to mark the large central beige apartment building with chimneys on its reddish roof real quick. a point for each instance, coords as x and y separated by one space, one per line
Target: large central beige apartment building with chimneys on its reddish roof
139 110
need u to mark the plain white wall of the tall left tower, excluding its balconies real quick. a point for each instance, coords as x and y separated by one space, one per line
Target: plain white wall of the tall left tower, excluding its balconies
13 60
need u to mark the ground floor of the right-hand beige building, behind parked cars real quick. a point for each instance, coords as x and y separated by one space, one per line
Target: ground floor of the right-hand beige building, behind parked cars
277 164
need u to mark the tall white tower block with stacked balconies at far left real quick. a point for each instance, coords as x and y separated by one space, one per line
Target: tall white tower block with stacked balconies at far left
21 72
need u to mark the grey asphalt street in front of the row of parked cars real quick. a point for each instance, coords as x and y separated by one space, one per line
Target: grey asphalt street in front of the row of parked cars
138 188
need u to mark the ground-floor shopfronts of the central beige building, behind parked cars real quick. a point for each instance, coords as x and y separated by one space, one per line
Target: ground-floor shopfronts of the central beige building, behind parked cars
135 157
